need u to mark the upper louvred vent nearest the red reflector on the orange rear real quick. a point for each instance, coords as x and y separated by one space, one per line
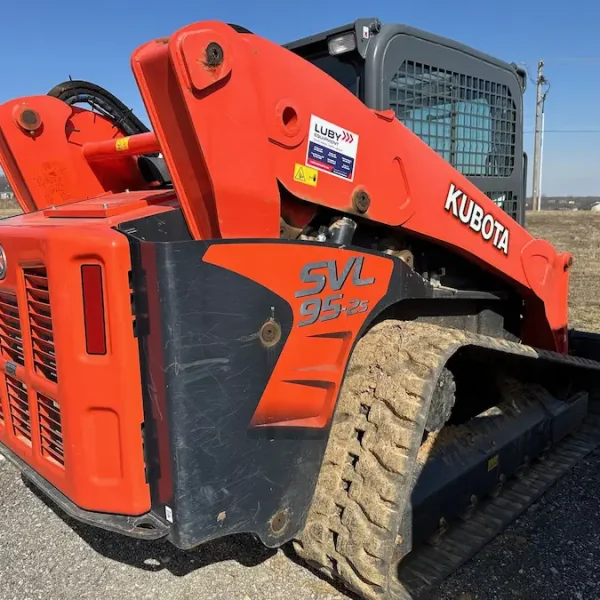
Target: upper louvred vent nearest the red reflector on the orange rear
40 321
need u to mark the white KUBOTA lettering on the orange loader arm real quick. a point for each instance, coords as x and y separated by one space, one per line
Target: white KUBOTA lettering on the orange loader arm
467 211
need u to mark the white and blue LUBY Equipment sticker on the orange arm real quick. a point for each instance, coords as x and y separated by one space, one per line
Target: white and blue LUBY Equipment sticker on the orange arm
331 148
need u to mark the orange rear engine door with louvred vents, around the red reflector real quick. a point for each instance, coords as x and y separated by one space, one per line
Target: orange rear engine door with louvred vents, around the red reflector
75 418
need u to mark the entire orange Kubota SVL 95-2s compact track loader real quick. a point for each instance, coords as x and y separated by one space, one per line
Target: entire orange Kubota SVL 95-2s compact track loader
303 306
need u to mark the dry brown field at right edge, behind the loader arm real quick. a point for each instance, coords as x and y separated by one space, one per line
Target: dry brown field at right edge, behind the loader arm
578 233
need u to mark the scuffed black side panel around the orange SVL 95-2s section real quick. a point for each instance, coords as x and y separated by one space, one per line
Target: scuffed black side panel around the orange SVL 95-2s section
205 371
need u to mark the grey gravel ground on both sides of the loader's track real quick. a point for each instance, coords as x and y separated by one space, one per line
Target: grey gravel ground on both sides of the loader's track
551 552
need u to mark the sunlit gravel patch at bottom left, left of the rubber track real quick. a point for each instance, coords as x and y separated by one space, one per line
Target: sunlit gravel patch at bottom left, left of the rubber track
45 555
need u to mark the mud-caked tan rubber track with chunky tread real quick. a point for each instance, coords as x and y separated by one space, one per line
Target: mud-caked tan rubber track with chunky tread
368 470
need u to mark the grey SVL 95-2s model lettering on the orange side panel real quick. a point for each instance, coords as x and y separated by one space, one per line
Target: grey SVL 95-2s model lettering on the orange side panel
326 273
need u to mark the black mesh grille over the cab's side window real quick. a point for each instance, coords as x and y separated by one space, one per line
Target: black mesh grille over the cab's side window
471 122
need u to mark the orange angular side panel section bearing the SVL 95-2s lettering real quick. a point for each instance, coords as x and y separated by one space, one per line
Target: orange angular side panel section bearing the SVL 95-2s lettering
305 383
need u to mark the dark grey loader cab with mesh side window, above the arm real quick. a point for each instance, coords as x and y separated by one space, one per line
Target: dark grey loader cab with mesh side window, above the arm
464 104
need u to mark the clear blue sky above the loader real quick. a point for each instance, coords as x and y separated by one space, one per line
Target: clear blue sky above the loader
44 42
